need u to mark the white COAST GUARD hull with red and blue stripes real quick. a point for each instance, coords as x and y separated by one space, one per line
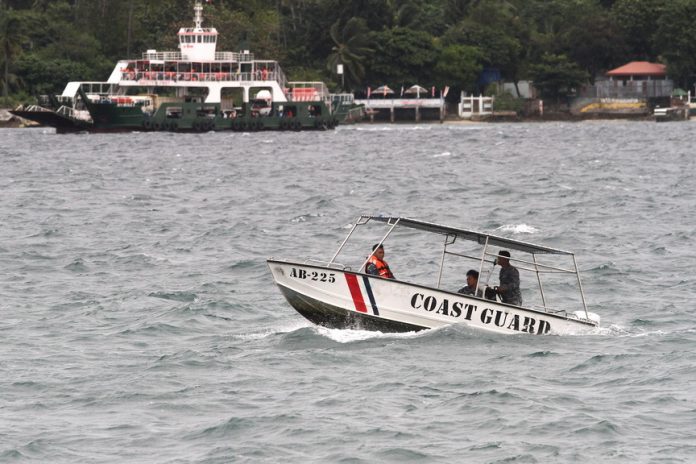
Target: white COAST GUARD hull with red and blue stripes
343 299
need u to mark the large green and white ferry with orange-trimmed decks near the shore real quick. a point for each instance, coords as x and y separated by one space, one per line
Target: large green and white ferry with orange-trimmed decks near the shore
191 89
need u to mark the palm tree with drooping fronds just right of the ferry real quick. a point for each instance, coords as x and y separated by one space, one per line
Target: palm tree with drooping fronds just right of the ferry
351 47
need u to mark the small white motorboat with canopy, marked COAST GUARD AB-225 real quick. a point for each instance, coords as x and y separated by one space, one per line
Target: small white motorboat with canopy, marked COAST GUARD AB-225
344 296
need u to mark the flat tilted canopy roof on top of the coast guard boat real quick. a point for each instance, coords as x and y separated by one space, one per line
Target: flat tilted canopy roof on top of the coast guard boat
471 235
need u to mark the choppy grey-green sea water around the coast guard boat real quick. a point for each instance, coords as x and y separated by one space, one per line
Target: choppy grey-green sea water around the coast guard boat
140 324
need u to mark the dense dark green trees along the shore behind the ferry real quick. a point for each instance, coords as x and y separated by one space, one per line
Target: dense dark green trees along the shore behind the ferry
558 44
